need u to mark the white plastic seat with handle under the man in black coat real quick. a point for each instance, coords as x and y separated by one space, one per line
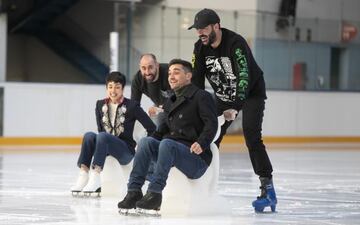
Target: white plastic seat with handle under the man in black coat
185 196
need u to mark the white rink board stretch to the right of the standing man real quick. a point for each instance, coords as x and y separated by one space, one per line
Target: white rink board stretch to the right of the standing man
293 113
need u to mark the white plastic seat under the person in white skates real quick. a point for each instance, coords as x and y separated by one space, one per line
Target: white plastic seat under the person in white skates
114 178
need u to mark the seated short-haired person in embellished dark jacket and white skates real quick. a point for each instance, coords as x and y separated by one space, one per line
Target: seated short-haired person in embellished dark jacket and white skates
115 117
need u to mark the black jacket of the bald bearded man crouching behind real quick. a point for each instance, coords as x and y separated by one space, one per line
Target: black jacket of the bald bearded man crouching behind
156 91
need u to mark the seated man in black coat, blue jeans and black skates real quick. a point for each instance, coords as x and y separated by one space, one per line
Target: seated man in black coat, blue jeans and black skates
182 140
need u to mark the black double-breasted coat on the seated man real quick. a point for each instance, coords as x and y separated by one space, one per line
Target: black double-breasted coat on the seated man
190 118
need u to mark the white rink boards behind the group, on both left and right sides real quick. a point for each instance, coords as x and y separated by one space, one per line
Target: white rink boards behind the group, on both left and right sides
65 110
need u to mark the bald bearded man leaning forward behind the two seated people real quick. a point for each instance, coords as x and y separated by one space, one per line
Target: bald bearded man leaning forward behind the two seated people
151 80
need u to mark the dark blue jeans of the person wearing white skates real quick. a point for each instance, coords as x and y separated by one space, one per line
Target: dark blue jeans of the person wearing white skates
103 144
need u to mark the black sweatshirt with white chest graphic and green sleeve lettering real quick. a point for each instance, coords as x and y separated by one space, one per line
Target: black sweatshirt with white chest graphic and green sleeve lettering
230 69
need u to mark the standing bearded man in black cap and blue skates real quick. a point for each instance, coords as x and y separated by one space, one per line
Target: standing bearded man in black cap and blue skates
225 59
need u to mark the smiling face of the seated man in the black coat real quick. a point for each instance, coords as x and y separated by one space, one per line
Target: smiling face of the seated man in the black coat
178 76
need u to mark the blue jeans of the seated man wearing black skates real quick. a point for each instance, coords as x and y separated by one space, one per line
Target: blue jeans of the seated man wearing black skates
165 153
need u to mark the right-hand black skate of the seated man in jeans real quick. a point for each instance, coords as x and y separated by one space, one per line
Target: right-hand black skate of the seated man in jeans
150 204
